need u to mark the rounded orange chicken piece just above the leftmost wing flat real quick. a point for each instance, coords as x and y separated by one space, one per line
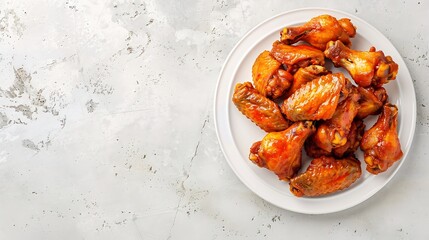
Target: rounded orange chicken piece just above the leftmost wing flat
269 78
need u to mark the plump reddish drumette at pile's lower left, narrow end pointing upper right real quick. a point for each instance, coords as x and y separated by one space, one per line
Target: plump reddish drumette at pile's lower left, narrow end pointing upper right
280 152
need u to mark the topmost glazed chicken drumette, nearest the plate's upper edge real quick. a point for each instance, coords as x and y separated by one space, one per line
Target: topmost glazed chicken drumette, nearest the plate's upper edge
319 31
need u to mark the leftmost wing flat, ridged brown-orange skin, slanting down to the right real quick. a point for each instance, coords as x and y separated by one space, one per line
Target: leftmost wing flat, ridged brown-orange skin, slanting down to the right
261 110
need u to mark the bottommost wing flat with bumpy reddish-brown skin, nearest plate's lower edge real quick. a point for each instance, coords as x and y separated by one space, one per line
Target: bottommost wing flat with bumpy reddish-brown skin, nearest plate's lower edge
326 175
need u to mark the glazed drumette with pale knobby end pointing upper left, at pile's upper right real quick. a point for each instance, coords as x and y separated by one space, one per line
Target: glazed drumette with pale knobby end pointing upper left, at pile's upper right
366 68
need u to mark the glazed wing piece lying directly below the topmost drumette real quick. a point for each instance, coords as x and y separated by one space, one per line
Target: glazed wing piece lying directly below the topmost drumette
295 57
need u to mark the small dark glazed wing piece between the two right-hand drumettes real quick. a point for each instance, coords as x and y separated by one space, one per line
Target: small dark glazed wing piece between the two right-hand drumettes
372 99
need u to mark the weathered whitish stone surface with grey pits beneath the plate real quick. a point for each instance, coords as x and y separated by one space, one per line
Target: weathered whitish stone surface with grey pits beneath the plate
106 124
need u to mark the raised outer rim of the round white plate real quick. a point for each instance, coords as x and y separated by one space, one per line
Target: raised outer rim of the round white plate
410 138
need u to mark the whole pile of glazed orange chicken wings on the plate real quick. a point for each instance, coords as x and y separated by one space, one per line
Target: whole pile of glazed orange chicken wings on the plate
301 104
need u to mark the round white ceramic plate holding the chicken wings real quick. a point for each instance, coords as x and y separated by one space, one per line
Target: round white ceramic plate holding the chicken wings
236 133
